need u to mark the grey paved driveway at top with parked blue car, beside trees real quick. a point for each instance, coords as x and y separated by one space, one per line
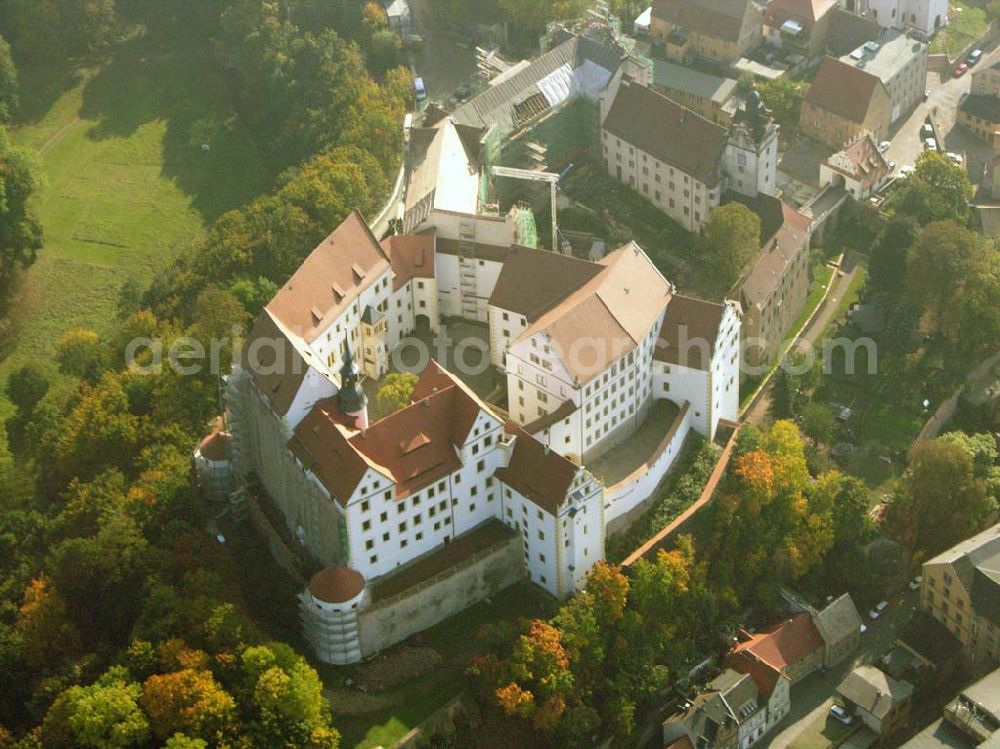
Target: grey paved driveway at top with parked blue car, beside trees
444 63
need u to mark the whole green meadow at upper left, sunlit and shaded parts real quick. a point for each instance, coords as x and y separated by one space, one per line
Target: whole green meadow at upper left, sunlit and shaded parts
128 183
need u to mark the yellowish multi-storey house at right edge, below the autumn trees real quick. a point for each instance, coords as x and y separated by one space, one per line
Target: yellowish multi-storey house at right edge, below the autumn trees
961 589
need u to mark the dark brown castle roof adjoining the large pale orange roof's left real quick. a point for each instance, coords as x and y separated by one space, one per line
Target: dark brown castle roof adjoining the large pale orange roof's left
533 281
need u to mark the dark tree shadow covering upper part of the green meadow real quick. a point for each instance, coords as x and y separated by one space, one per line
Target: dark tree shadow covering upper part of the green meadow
163 76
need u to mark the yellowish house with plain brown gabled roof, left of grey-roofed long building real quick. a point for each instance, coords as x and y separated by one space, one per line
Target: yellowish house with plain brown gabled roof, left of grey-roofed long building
842 102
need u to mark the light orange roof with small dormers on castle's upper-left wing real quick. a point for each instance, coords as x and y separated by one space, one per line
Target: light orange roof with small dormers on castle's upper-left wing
343 265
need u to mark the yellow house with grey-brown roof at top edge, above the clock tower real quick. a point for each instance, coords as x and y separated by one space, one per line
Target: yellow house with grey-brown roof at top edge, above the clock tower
719 30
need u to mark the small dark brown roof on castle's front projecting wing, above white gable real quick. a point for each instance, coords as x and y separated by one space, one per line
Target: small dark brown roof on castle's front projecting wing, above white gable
537 472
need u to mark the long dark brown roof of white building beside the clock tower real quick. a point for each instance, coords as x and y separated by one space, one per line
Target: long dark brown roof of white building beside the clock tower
668 132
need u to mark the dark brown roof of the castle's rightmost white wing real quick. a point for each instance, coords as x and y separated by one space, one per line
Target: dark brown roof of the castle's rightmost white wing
690 320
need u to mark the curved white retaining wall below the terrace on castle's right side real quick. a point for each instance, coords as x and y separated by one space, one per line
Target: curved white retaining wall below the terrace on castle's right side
625 501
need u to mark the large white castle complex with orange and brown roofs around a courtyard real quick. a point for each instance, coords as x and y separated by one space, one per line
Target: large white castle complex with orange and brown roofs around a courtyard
586 348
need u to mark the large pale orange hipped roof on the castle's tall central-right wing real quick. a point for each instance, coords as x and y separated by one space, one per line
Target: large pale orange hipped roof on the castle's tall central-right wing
616 307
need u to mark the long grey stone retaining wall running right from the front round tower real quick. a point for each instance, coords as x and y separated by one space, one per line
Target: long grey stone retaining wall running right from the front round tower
426 604
